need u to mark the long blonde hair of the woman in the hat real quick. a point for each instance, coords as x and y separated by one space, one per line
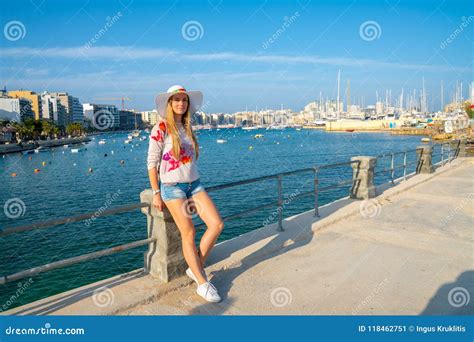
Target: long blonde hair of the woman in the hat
173 130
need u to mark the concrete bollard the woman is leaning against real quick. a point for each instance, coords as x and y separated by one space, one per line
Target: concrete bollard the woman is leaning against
164 258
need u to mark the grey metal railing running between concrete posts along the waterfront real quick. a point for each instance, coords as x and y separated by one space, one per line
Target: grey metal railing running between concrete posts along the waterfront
279 203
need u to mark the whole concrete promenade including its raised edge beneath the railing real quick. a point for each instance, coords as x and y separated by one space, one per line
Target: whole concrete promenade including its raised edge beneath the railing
408 251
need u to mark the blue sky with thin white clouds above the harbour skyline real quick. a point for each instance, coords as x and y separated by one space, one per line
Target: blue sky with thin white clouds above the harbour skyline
146 48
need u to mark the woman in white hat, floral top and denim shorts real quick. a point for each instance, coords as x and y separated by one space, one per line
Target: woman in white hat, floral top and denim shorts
174 178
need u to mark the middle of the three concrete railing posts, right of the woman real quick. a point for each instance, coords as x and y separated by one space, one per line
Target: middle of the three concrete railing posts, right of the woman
363 177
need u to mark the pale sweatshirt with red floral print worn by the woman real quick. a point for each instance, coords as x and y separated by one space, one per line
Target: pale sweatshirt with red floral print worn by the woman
171 169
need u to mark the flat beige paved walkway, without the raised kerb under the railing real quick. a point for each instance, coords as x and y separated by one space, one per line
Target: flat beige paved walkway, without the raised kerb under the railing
399 255
